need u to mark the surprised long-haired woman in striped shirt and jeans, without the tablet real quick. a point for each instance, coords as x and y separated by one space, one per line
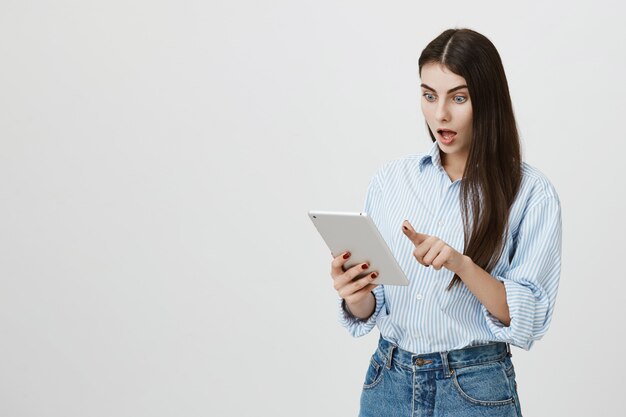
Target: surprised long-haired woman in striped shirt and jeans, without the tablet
478 232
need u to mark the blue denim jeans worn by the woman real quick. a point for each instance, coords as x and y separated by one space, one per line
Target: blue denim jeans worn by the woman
474 381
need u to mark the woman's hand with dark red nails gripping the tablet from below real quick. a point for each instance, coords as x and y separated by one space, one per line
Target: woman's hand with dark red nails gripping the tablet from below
356 292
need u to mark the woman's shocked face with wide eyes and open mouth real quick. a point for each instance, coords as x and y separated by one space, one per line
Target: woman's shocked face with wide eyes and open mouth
446 105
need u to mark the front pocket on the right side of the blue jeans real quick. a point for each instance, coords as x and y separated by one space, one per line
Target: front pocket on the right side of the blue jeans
483 384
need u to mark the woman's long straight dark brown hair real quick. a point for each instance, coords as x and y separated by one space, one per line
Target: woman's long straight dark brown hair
493 170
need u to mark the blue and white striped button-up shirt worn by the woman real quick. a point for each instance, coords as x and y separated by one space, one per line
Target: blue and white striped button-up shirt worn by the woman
423 317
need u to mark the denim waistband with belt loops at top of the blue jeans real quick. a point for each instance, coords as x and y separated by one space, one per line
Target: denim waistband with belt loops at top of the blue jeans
447 360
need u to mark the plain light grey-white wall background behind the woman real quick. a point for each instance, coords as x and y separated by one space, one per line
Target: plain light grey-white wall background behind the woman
158 159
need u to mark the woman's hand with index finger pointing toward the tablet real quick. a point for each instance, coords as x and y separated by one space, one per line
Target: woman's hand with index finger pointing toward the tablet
430 250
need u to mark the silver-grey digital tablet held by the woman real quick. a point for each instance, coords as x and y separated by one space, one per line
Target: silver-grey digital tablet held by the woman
357 233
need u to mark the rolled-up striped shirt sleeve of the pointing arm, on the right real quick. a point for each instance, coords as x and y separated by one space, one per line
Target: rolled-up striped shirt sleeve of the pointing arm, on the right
532 280
